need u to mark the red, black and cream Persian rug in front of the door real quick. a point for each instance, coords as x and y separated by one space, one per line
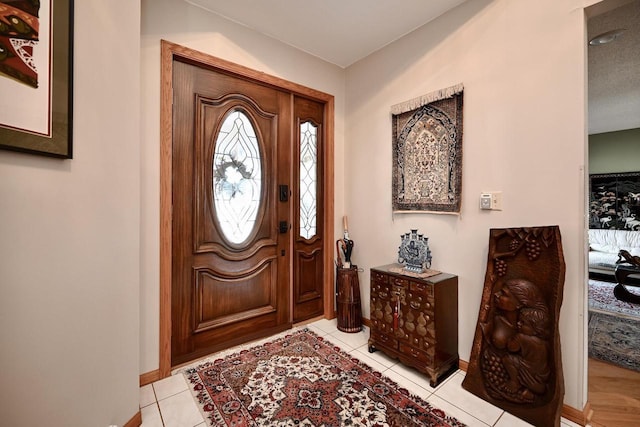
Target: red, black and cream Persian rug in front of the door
300 379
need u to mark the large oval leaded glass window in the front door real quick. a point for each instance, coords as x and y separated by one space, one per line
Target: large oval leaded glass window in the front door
237 177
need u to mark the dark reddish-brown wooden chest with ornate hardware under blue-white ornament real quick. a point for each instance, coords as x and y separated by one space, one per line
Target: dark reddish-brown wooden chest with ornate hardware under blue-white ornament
415 320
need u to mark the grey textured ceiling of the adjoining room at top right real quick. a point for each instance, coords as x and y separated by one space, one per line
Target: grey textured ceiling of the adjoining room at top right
614 68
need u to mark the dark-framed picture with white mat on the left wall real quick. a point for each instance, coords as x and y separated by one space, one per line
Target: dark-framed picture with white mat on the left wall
36 75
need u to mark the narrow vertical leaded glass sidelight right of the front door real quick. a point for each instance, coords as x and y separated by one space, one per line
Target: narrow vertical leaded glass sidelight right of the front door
308 179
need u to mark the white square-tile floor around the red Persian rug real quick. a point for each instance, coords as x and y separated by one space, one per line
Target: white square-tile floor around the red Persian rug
169 403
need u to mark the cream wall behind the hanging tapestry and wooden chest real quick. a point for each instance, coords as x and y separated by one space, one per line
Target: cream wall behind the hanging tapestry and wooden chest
523 68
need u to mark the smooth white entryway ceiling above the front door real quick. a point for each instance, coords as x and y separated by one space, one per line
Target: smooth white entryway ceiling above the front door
338 31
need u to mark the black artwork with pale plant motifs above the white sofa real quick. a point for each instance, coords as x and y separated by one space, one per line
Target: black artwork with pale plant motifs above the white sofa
614 201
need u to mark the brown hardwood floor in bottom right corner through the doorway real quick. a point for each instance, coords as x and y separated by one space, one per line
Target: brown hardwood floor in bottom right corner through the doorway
614 395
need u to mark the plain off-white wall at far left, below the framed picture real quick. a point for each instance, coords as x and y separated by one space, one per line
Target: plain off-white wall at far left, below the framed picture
69 245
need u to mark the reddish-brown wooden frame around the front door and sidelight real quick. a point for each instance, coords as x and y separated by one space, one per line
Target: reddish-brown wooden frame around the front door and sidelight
170 52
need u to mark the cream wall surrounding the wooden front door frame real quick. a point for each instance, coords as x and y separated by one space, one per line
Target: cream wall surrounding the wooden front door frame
187 25
